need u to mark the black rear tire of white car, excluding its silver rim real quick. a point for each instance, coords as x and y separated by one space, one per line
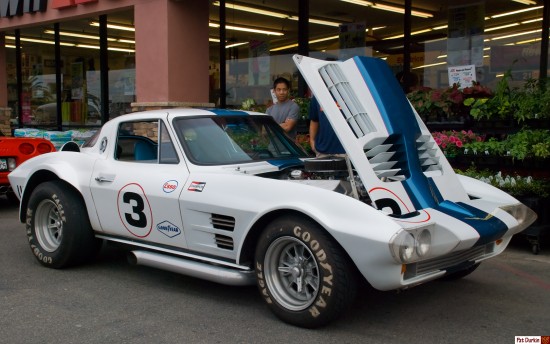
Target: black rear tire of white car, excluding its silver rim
64 201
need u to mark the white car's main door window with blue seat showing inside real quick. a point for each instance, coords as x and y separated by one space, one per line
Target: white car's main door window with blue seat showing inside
138 141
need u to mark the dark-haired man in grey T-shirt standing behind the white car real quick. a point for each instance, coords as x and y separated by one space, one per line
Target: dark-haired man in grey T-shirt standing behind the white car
285 111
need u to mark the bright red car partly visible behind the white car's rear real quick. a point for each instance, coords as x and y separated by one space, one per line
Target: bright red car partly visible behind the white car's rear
13 152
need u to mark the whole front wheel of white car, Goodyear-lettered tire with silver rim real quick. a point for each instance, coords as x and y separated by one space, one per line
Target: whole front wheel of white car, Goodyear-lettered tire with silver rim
304 276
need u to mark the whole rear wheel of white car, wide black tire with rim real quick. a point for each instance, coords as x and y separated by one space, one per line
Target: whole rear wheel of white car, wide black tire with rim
58 228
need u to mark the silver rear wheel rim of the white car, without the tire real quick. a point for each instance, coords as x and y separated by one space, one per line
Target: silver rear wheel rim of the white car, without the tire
48 225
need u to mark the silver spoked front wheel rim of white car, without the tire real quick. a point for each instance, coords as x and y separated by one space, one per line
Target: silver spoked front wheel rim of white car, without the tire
291 273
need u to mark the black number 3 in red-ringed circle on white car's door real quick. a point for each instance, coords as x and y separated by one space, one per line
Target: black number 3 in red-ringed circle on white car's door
134 210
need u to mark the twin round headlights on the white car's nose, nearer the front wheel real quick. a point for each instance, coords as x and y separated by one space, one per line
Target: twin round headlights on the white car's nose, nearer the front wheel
407 246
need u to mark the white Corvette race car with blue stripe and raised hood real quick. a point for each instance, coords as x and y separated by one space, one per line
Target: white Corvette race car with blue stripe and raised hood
226 196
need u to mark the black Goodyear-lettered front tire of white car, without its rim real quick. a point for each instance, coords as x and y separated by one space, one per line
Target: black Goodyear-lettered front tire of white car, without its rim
326 304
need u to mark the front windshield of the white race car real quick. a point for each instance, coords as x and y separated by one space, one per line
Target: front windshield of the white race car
234 139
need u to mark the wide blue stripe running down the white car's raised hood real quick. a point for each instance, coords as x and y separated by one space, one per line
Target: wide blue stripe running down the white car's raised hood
400 121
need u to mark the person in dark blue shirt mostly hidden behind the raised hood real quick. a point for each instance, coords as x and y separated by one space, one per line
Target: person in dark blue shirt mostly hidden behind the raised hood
322 138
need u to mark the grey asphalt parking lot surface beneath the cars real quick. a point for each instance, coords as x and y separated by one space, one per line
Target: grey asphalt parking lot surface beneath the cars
112 301
